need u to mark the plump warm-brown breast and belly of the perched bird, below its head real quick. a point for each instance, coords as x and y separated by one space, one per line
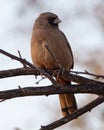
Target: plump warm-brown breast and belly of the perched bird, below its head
51 52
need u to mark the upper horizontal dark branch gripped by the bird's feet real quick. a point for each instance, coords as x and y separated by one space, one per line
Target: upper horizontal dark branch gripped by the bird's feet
33 71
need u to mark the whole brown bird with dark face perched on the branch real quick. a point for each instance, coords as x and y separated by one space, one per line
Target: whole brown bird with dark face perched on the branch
51 50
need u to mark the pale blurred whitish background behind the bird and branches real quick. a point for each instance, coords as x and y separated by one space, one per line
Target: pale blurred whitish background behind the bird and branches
83 24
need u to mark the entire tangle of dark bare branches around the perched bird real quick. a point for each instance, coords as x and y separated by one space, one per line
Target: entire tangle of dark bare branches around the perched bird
84 85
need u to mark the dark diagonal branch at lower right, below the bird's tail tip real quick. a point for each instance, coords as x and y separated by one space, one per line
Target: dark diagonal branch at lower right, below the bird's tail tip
76 114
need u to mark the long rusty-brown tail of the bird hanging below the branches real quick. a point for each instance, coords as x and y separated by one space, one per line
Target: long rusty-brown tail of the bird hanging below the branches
67 101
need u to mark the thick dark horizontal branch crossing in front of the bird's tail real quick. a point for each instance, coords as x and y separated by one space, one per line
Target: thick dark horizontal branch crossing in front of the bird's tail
51 90
